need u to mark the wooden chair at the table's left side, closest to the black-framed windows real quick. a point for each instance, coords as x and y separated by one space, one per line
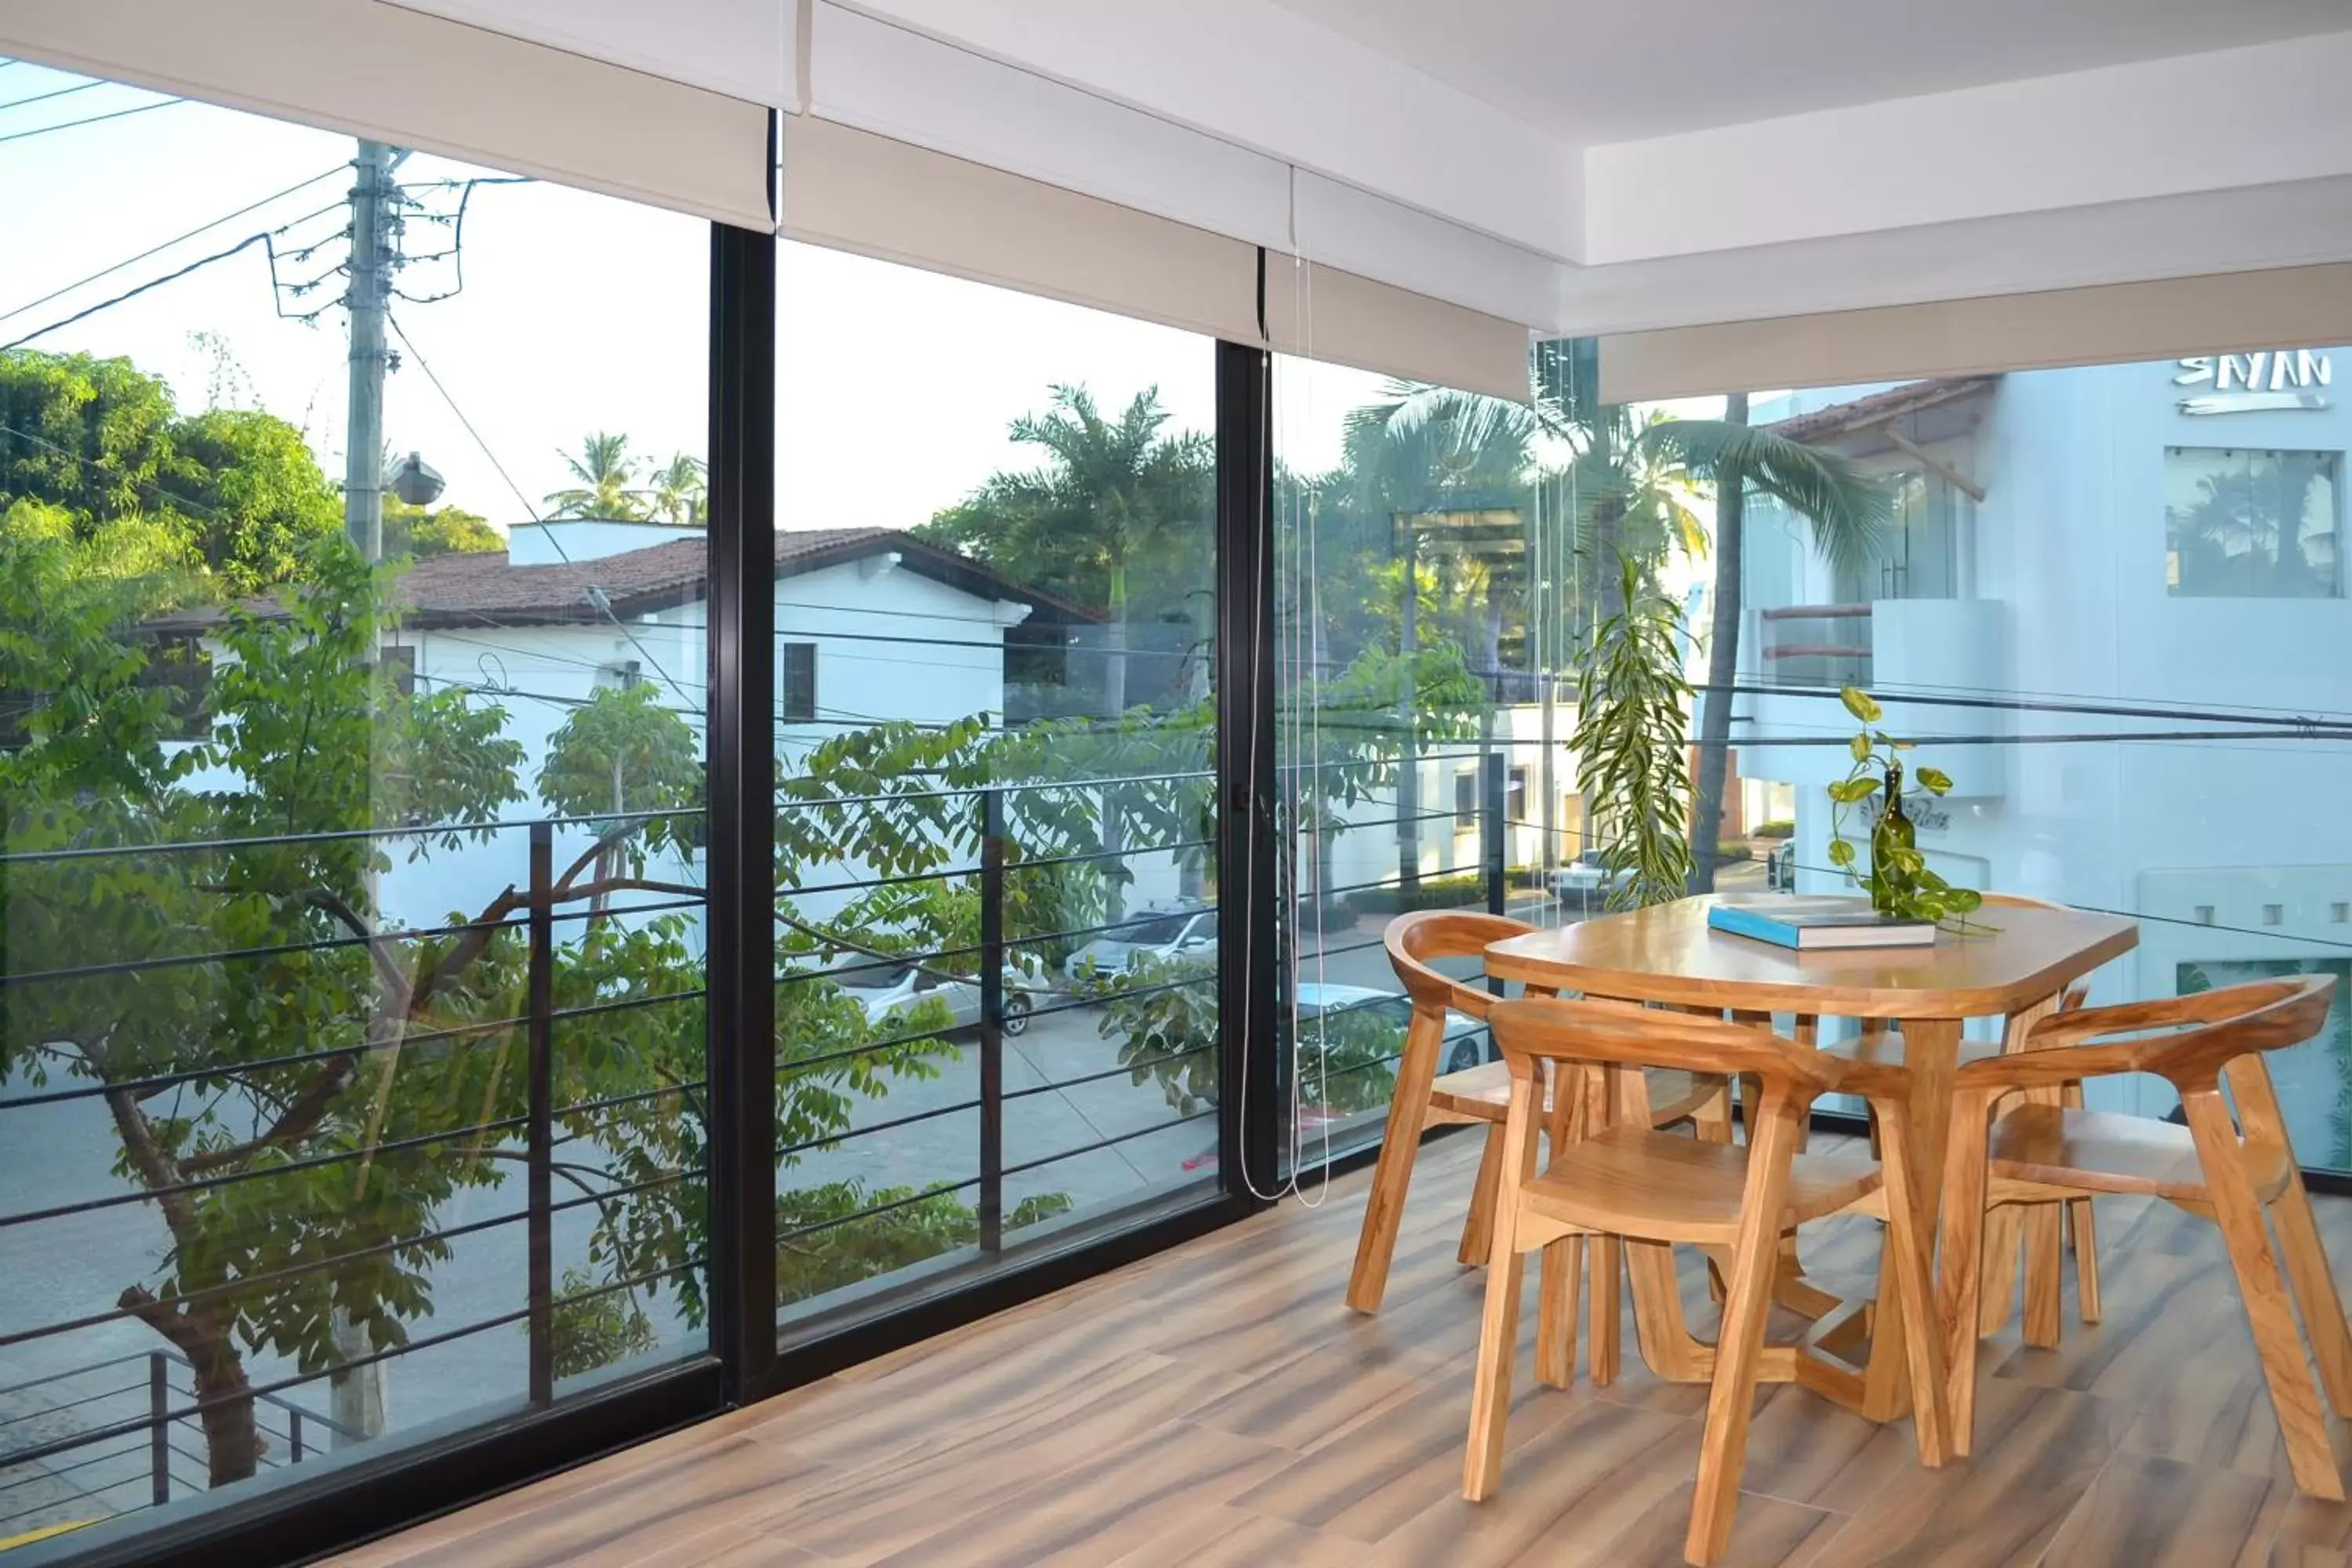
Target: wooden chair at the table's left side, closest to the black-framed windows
1481 1094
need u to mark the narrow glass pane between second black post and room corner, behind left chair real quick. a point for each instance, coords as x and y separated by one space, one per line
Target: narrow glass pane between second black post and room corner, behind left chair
1429 582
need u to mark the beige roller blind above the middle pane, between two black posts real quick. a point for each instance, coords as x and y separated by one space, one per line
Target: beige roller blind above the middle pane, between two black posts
904 203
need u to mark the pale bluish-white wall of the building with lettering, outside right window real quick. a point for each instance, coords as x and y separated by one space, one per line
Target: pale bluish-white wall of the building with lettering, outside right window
2071 544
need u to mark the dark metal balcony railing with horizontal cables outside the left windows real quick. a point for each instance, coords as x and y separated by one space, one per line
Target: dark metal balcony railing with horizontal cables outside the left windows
105 1449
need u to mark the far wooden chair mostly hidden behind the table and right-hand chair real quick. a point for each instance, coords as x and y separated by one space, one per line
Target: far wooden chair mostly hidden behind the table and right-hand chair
2043 1228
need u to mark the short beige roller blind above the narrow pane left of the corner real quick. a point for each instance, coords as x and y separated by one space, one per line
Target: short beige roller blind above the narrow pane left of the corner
1325 314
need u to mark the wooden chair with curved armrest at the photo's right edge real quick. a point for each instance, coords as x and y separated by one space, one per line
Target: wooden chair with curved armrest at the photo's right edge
2040 1153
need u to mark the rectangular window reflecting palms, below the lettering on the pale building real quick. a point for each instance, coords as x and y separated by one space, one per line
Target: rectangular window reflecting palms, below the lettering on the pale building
2250 525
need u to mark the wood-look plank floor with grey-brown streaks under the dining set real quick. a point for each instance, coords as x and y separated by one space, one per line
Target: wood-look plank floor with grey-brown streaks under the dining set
1220 1405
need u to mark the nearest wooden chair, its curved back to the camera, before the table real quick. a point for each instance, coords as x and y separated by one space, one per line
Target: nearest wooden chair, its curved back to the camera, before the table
1655 1191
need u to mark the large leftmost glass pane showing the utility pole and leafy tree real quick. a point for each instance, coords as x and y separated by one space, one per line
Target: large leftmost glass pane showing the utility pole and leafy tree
352 749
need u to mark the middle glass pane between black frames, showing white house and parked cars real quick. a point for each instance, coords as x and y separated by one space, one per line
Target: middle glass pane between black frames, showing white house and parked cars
998 622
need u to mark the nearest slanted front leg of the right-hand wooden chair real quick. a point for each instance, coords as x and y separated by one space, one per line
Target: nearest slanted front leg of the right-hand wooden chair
2266 1299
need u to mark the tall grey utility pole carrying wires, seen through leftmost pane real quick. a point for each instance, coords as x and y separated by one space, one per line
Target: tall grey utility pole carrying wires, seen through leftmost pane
375 255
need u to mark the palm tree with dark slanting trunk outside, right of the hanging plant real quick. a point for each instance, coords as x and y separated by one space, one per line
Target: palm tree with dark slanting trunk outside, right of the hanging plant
1850 514
